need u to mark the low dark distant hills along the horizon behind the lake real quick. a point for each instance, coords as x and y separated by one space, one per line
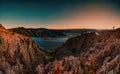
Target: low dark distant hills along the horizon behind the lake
46 33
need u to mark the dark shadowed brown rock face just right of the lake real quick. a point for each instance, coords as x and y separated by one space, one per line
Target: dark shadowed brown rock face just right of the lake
77 46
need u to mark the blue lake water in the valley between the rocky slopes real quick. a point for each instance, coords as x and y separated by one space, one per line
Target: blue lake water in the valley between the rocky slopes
50 44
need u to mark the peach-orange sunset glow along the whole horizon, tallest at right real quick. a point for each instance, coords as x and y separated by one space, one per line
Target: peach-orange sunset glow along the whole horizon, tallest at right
90 17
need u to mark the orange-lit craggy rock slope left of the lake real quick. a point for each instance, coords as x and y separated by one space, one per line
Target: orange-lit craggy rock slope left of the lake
18 54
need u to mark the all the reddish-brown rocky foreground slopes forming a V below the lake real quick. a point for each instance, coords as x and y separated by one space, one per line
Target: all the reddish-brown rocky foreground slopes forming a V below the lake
89 53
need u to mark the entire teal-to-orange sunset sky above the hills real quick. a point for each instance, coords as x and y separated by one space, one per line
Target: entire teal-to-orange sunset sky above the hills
60 14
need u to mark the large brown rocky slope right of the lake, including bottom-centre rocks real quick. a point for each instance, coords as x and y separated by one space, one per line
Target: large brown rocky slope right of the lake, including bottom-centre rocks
90 53
